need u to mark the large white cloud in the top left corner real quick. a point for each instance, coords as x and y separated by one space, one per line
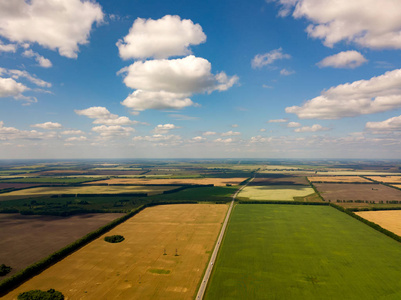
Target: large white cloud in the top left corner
54 24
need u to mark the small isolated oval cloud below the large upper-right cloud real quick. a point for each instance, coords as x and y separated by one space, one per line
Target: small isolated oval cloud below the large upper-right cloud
345 59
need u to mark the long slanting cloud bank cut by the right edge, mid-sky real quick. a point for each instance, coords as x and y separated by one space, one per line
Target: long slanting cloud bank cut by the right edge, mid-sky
378 94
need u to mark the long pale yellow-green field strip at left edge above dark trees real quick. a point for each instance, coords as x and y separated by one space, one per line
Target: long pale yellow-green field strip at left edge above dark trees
41 191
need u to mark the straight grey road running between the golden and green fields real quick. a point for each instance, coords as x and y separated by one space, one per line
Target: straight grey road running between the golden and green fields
210 265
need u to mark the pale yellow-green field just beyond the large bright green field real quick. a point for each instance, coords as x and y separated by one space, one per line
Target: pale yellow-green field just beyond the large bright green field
275 192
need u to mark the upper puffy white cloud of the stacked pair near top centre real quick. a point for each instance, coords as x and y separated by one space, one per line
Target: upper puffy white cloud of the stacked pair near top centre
162 38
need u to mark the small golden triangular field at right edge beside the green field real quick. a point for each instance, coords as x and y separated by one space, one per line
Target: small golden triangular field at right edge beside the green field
388 219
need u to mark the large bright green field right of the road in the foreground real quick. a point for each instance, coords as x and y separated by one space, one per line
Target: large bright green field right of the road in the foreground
303 252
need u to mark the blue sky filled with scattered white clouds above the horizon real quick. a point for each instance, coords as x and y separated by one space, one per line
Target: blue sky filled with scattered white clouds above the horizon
200 79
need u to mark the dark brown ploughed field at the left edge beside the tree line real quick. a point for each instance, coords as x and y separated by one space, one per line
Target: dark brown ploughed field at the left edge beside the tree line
27 239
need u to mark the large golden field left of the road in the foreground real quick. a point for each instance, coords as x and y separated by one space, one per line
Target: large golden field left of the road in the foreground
137 267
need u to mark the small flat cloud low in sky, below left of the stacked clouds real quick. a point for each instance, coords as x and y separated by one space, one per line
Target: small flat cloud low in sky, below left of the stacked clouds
103 116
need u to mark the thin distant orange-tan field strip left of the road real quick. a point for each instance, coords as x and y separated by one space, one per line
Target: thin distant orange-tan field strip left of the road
144 181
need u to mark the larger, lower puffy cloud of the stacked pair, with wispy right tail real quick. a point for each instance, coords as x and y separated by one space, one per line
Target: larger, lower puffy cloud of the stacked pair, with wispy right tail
168 84
